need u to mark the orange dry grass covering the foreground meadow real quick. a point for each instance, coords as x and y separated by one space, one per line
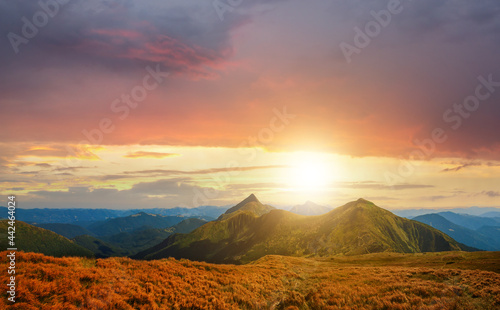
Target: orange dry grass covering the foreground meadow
274 282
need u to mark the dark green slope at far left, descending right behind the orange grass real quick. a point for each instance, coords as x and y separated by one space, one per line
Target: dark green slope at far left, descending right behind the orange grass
30 238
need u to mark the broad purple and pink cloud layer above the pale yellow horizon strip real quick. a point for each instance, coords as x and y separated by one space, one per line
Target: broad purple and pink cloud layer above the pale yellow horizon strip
387 102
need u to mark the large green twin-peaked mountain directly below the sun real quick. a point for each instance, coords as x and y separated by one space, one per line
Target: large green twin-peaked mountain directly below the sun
358 227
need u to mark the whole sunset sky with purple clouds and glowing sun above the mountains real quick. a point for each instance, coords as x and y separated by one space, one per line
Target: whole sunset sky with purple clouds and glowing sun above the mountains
141 104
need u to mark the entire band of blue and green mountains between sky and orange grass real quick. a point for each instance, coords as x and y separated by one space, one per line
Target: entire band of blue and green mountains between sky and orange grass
250 230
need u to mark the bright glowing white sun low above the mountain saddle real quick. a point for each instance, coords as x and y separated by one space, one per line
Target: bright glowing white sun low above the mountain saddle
310 172
